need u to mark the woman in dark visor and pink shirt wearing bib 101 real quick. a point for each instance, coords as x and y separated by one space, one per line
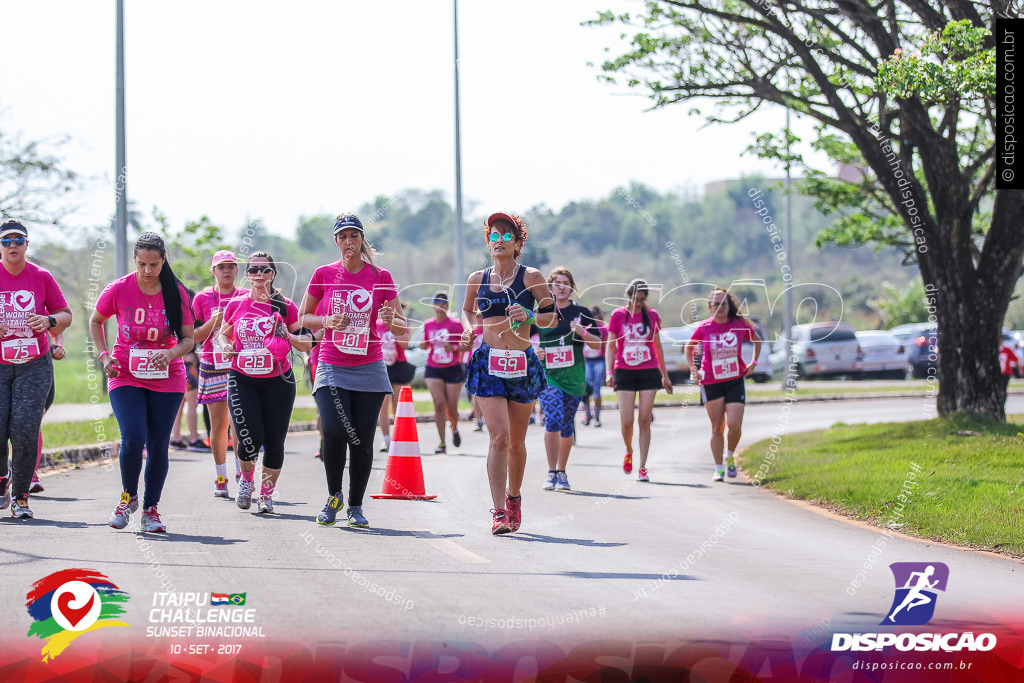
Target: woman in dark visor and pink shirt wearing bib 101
352 378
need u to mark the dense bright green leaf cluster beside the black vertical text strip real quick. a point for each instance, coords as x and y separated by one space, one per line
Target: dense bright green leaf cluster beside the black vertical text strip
953 65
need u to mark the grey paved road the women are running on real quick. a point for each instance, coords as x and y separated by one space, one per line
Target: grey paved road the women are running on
586 566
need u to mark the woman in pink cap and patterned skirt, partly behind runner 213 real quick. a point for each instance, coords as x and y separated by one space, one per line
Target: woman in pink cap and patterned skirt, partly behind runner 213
214 363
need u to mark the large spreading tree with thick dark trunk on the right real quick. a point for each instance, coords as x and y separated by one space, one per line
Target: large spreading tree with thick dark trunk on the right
922 133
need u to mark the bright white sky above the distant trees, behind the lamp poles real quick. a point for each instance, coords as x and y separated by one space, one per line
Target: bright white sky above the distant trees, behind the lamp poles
271 111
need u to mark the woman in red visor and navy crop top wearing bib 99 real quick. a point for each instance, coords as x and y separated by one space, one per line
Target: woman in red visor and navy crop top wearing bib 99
505 373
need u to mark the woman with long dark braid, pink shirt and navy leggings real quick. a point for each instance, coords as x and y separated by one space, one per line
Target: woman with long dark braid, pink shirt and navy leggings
147 377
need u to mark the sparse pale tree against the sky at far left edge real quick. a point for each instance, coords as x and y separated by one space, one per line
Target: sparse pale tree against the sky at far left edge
33 183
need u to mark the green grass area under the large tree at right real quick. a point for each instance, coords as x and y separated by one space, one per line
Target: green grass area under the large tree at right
958 481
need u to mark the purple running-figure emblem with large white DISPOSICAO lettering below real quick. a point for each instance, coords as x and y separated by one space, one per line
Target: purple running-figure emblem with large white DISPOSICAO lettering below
914 605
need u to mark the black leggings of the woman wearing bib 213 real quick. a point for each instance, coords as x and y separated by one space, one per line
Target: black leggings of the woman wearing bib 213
262 409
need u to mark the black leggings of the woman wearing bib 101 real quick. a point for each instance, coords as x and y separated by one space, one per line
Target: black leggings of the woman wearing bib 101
349 419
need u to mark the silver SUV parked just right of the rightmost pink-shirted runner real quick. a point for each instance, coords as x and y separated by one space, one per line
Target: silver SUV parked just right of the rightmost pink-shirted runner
823 350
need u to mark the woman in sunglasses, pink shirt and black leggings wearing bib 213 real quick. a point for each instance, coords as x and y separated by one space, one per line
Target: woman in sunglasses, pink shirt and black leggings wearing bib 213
259 332
